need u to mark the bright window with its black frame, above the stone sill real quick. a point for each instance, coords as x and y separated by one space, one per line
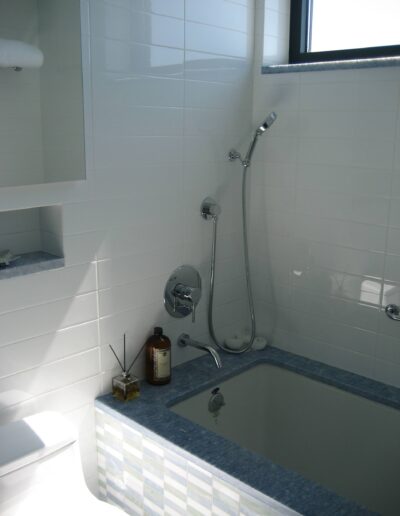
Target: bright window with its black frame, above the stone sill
331 30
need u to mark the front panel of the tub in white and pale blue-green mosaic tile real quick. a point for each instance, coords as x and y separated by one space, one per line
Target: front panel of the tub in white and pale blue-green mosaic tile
146 475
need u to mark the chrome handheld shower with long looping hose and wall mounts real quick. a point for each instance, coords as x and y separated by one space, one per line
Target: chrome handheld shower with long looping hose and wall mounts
234 155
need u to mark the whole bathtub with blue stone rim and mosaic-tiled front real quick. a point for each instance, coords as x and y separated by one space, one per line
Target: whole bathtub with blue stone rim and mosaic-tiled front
294 436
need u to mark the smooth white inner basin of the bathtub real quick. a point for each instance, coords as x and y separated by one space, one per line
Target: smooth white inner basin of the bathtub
338 439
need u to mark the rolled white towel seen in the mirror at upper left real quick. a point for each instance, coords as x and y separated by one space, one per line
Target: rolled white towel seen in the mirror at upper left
17 54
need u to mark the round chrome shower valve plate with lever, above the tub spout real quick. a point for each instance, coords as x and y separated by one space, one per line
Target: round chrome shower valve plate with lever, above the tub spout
183 292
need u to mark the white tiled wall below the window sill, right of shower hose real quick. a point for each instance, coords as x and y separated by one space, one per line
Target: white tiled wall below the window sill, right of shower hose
325 216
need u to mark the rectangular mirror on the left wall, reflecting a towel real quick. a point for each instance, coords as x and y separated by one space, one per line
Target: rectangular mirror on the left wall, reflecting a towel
41 92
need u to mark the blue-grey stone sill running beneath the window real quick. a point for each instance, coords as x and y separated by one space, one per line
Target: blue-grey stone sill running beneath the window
331 65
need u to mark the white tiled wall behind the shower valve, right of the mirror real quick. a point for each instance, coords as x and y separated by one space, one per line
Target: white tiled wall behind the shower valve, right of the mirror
168 92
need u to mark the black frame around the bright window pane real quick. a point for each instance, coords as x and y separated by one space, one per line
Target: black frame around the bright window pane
298 41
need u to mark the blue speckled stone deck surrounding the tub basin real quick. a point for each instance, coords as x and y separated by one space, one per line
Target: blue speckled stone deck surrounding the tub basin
151 411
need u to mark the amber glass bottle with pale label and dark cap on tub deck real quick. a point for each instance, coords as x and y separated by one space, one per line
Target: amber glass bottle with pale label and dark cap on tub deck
158 358
